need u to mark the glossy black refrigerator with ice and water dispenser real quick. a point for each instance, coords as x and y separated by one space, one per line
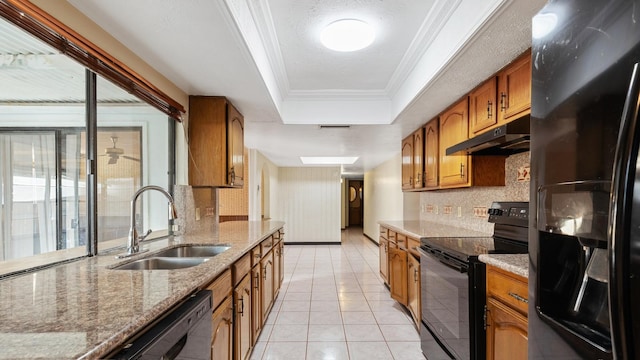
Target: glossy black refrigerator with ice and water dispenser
584 240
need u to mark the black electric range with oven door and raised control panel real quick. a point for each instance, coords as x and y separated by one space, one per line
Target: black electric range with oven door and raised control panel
453 283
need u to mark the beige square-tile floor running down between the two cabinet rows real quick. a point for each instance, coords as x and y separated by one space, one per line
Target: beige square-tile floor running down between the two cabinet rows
334 305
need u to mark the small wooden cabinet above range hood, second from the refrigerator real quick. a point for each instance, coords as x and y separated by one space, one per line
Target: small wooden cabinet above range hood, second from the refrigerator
482 107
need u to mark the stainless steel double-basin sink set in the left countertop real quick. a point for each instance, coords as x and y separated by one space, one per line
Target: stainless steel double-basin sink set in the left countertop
180 257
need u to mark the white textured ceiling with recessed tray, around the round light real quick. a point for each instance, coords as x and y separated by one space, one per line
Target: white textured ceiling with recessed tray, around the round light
264 55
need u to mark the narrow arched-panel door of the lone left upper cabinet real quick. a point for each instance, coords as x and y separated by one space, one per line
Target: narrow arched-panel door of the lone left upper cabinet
235 150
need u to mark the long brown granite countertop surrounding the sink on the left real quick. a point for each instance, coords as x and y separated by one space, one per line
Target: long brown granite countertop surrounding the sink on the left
84 309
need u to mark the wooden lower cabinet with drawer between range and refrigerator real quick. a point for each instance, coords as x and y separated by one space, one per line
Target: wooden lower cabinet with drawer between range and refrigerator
506 314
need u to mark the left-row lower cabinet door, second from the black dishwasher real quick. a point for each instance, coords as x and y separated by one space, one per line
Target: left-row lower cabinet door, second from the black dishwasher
242 320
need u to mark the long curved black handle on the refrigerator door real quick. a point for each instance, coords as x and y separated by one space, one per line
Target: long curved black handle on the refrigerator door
621 202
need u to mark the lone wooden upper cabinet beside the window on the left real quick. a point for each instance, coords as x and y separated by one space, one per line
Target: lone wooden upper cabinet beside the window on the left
216 143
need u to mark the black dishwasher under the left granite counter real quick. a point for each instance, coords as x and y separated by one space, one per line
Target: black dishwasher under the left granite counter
183 333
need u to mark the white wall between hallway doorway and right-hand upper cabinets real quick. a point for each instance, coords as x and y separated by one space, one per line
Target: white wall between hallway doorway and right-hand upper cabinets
383 198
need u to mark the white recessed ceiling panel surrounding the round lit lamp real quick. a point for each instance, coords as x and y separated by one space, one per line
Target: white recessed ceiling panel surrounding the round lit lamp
311 66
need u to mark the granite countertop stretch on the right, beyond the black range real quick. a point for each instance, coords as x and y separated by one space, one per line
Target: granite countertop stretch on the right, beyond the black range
426 229
